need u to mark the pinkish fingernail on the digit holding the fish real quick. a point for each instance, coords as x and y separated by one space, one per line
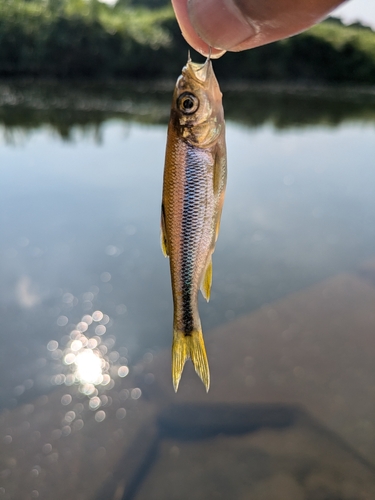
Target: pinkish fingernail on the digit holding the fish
219 23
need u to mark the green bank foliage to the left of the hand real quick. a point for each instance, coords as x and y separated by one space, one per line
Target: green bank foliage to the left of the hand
79 38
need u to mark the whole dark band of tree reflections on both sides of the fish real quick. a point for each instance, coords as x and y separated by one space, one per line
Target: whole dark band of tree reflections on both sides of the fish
82 108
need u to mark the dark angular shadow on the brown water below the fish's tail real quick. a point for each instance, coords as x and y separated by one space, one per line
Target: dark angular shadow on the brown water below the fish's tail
238 435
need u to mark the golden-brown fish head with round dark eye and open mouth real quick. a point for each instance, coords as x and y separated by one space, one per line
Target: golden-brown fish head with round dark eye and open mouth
197 109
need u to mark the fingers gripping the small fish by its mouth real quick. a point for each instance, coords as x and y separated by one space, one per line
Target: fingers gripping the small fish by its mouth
237 25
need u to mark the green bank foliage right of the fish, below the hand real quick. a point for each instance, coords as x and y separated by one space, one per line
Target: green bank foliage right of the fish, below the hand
328 53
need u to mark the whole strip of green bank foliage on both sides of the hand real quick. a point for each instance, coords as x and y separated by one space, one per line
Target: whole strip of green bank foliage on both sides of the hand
86 38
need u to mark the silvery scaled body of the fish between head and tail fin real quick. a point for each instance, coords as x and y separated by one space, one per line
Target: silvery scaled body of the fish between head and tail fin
192 220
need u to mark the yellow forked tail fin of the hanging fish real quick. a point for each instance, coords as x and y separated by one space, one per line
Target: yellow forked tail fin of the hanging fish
189 346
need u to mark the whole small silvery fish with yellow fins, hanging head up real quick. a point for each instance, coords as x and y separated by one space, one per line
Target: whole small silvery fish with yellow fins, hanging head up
193 195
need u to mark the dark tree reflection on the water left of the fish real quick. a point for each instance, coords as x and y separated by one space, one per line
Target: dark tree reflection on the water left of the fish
76 107
